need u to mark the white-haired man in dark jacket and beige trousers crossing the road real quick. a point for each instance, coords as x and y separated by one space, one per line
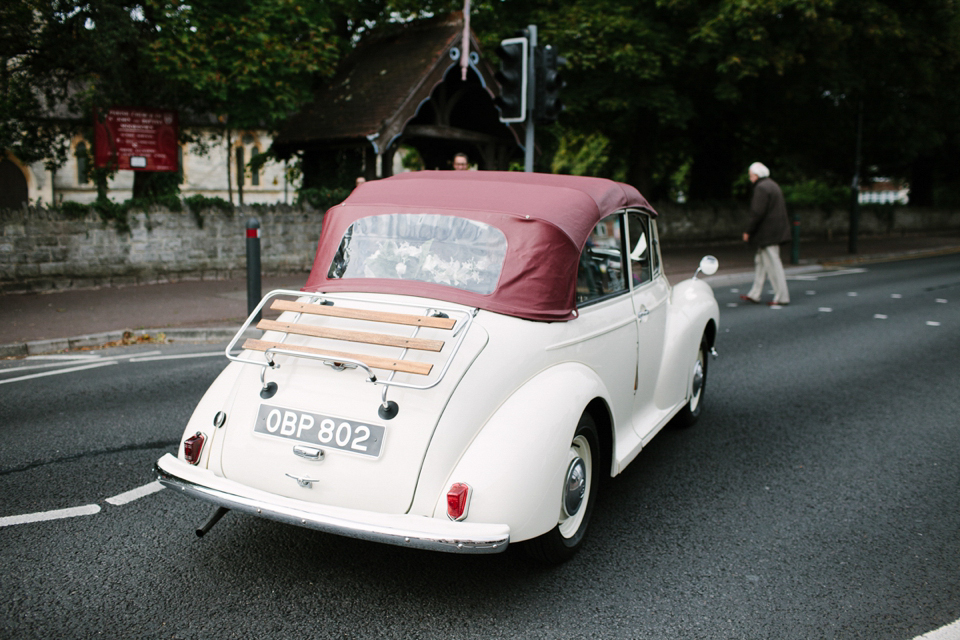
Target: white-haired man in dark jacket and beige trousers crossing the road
769 228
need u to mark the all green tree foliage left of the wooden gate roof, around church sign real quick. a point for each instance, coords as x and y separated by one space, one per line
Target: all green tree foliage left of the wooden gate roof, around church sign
250 62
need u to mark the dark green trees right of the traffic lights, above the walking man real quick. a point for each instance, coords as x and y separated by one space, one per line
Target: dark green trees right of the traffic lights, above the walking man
716 84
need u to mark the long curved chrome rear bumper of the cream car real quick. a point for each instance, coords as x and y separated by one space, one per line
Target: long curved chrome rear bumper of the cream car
404 530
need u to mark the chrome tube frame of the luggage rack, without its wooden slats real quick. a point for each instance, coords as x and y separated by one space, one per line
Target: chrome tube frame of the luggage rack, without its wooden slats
388 409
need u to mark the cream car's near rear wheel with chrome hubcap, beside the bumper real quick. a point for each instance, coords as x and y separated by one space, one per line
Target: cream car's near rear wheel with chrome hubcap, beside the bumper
577 498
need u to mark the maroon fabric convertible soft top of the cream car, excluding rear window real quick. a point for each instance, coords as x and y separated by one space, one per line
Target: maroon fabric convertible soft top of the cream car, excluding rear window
545 218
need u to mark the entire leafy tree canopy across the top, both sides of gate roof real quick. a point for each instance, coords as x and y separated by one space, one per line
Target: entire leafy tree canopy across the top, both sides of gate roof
666 94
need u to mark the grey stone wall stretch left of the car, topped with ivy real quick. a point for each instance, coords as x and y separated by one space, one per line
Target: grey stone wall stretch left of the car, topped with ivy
44 249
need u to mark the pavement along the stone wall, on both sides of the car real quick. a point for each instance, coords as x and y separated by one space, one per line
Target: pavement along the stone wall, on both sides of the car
213 310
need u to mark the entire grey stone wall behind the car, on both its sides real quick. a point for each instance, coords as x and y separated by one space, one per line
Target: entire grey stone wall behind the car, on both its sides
45 250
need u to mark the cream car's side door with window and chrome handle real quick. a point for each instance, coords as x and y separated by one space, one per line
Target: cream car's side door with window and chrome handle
650 293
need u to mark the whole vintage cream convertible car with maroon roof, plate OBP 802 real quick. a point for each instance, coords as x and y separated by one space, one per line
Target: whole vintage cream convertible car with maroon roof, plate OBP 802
471 351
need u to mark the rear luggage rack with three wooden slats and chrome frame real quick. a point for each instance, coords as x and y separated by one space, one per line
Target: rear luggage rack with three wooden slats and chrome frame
328 307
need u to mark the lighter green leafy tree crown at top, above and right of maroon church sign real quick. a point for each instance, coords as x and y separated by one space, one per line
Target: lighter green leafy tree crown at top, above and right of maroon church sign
253 61
